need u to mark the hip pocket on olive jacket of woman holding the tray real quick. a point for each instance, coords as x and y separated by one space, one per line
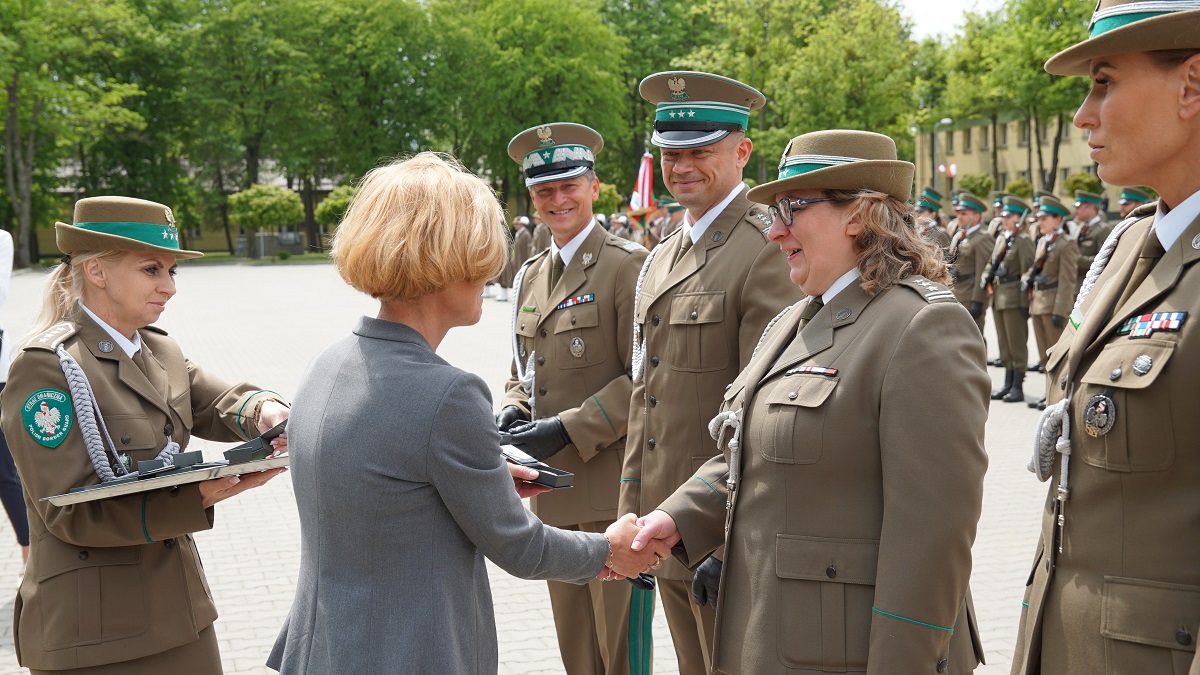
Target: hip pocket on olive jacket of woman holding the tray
89 595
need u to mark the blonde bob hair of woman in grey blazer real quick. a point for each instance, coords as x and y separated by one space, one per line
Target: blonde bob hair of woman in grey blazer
419 225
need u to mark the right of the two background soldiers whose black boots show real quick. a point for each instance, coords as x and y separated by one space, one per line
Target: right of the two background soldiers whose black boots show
1052 280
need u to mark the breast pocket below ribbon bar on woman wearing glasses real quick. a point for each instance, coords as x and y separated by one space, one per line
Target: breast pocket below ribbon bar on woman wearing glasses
789 419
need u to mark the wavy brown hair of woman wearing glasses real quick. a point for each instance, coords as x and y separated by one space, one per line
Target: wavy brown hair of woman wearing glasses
890 247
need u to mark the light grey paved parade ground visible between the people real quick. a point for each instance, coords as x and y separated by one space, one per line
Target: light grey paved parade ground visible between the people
265 324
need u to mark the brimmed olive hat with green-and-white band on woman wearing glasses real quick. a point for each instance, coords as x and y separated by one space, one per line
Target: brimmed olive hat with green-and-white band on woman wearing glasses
839 160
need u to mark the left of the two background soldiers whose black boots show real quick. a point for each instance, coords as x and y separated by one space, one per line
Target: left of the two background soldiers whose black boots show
1011 258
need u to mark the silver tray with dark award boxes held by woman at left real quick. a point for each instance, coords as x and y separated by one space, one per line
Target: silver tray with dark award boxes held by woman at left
251 457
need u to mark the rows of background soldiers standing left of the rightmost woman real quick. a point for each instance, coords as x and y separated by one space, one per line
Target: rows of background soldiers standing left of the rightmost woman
1028 265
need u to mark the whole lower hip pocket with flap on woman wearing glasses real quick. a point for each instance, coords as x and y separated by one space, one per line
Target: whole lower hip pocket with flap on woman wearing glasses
827 589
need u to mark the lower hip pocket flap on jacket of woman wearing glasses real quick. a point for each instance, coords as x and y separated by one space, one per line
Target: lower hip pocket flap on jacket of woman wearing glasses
821 559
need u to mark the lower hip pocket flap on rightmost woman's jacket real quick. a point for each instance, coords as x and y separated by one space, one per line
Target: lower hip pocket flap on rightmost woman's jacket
1151 613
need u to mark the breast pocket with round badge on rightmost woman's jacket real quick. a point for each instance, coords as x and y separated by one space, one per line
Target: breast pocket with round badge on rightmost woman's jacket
1123 409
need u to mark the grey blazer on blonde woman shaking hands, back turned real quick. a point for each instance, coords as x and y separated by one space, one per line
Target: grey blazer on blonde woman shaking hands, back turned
403 492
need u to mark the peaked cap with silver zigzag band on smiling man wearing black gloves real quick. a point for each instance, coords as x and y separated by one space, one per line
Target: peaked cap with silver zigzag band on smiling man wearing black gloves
555 152
